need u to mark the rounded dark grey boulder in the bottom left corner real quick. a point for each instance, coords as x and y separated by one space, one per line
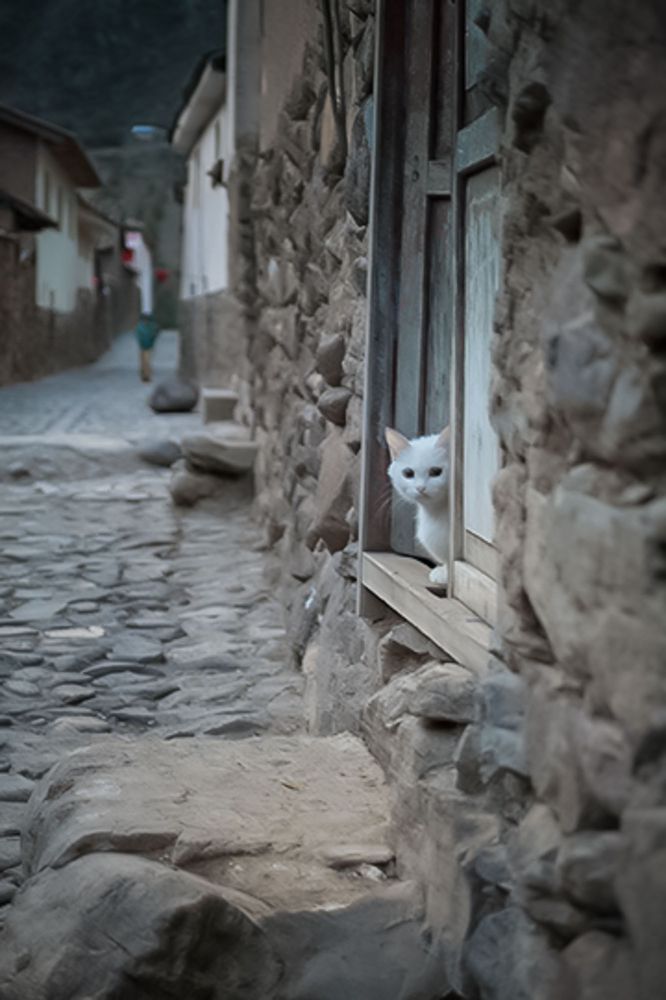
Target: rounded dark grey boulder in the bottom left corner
151 930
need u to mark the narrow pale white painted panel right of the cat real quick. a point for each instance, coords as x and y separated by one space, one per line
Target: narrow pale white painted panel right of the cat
481 453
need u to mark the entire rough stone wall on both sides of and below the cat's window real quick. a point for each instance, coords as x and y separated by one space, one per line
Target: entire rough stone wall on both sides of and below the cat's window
531 801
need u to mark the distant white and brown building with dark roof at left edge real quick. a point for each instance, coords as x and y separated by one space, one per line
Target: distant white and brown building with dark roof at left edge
63 287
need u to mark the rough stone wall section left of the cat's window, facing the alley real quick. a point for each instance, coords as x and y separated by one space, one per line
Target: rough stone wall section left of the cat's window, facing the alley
298 222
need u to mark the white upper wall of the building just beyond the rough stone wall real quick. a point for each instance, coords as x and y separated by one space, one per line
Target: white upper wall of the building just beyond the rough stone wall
205 265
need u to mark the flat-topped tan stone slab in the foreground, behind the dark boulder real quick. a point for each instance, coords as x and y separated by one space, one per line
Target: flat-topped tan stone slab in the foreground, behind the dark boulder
261 815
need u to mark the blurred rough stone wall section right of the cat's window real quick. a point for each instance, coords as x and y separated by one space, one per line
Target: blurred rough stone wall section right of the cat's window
579 404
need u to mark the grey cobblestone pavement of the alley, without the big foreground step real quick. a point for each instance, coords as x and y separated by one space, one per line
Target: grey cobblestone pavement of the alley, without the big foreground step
119 613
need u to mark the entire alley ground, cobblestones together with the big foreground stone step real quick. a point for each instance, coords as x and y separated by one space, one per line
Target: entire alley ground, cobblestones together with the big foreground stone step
160 801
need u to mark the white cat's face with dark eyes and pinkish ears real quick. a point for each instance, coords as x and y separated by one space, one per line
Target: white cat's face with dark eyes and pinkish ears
420 467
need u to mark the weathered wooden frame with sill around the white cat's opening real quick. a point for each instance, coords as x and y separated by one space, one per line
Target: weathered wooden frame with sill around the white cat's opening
461 624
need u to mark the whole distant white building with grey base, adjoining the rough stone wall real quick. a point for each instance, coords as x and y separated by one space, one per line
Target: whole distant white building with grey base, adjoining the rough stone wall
201 133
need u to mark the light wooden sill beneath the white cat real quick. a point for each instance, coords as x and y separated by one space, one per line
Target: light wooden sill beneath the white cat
402 583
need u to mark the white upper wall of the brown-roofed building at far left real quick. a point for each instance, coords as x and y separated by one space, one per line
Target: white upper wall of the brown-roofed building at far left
57 249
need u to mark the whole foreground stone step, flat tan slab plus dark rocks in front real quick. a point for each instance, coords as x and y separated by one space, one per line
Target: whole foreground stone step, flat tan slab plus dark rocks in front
257 868
